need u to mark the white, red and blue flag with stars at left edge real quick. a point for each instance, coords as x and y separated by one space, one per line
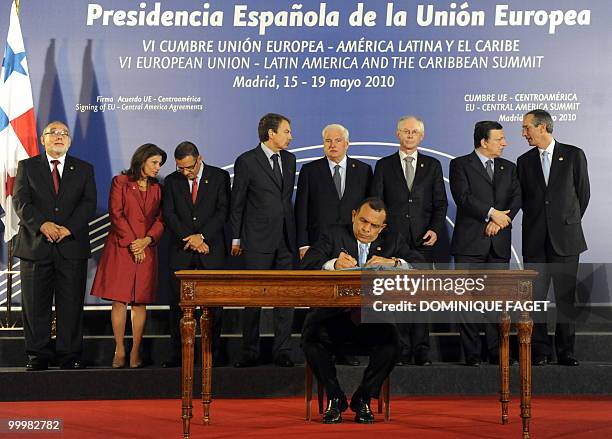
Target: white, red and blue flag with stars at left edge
17 123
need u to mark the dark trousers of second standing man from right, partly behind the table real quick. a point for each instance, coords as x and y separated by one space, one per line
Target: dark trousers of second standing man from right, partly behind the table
468 328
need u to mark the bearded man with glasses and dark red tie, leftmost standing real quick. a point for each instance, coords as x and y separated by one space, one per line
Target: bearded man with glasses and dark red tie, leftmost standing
55 198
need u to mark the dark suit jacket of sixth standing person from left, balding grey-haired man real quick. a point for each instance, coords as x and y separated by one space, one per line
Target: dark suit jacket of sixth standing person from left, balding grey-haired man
413 212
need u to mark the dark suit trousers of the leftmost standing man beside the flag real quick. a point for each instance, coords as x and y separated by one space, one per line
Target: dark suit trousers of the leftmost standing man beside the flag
41 282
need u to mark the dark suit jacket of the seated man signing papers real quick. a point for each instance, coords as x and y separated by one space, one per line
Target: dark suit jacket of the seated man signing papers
338 237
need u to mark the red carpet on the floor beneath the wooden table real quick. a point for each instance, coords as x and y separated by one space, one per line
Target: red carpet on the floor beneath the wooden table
423 418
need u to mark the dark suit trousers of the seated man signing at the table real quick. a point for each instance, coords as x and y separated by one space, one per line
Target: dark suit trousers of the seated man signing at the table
320 342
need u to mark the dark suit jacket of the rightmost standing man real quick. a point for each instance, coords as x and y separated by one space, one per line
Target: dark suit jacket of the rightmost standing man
557 208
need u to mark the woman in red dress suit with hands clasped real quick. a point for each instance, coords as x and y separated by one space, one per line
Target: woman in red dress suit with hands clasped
127 272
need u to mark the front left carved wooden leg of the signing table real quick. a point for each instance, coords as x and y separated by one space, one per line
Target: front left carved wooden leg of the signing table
188 338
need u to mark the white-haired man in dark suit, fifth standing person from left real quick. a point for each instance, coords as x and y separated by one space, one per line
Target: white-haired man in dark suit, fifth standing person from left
328 190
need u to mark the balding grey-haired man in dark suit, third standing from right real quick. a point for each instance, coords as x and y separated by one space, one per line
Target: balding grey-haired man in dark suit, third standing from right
411 185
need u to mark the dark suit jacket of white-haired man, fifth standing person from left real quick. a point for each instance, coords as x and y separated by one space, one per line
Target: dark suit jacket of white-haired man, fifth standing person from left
317 204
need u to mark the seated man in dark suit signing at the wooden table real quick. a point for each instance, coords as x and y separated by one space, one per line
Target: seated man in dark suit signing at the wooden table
363 243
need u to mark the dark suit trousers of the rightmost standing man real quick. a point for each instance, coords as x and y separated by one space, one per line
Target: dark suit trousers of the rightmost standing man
562 271
